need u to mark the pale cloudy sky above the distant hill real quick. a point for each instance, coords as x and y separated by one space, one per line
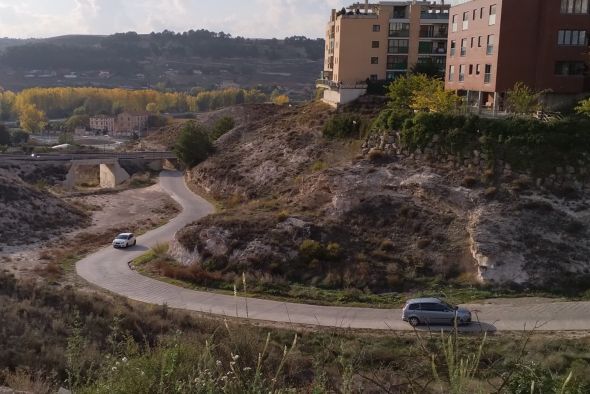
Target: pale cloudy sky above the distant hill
247 18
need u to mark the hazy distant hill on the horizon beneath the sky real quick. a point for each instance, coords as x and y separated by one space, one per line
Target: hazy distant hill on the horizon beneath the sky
174 60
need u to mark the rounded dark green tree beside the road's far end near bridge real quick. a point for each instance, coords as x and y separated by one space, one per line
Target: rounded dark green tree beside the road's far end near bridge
193 145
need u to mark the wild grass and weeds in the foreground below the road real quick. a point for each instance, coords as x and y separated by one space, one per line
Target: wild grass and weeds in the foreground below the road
100 344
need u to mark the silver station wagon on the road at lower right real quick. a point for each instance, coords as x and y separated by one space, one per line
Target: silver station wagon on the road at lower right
434 311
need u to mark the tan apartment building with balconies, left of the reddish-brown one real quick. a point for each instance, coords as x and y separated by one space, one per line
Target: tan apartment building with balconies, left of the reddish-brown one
377 42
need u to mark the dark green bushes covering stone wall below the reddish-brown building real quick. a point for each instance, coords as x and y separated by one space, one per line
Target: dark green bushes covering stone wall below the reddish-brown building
526 143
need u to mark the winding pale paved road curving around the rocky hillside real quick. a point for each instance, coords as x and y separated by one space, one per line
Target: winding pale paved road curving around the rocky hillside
108 269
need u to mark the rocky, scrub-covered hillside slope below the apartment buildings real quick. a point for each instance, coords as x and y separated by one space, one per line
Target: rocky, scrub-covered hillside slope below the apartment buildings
300 208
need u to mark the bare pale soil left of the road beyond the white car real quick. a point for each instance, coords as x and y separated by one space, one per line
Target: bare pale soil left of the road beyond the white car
136 210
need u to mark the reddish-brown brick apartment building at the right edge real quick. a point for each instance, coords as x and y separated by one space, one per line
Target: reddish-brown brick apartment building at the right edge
493 44
